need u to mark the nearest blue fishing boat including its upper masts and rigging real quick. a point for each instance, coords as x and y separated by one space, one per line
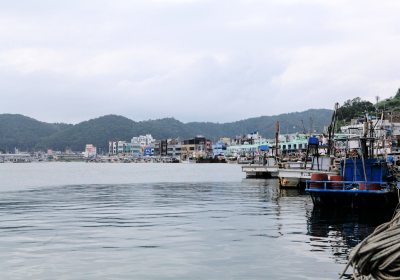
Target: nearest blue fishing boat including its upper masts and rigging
366 178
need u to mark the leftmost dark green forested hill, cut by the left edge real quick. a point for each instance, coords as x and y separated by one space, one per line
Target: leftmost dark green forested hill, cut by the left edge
18 131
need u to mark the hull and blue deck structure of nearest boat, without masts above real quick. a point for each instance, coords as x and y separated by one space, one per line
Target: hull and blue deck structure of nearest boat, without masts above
361 183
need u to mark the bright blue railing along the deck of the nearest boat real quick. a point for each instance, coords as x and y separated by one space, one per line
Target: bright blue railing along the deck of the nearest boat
347 186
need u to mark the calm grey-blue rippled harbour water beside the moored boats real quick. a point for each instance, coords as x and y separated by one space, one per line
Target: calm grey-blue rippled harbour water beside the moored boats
167 221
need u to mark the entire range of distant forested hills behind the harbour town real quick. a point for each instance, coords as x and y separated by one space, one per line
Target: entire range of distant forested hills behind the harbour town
24 133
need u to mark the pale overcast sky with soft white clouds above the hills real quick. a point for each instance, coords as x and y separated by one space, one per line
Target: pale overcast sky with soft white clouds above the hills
218 61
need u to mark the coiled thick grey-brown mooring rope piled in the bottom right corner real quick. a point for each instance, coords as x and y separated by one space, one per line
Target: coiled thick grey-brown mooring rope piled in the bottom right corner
377 257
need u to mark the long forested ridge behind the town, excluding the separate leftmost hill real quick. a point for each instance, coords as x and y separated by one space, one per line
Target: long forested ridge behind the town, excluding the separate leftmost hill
111 127
